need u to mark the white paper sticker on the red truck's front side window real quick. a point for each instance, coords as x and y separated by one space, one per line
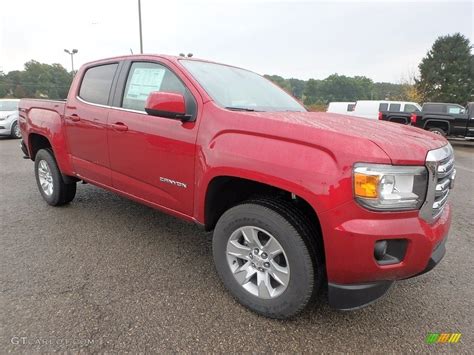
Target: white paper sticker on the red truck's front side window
144 81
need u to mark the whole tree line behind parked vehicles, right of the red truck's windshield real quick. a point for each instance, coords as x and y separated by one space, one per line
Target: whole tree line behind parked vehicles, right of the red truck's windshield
446 74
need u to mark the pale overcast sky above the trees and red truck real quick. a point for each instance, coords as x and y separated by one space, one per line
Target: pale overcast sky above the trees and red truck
382 40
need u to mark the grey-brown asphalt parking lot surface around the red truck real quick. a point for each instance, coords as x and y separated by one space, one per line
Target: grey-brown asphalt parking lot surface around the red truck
107 274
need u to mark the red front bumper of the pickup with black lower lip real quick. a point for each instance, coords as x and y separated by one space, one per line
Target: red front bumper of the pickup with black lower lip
355 277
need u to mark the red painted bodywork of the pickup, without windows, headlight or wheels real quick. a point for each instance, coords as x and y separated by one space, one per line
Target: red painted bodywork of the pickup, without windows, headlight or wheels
308 154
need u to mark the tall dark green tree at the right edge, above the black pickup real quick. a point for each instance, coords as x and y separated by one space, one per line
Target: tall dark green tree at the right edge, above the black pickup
446 72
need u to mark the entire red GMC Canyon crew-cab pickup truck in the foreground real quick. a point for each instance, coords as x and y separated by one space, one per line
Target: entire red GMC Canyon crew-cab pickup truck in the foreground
298 201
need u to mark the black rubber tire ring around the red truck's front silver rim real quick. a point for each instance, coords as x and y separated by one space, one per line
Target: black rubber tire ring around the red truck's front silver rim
301 284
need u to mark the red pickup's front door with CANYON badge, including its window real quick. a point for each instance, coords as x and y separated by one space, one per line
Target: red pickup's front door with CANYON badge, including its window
152 157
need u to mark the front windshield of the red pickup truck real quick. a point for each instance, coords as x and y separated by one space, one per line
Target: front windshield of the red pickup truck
239 89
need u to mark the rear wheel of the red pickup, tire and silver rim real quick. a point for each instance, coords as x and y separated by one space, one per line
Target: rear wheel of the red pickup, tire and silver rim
50 181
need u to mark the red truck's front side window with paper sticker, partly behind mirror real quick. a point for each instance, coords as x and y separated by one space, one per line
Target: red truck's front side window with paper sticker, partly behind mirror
144 78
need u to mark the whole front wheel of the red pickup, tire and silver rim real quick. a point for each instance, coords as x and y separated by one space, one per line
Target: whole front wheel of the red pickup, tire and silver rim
265 255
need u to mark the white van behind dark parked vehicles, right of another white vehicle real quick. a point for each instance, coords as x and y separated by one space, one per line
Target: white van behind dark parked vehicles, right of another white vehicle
371 108
